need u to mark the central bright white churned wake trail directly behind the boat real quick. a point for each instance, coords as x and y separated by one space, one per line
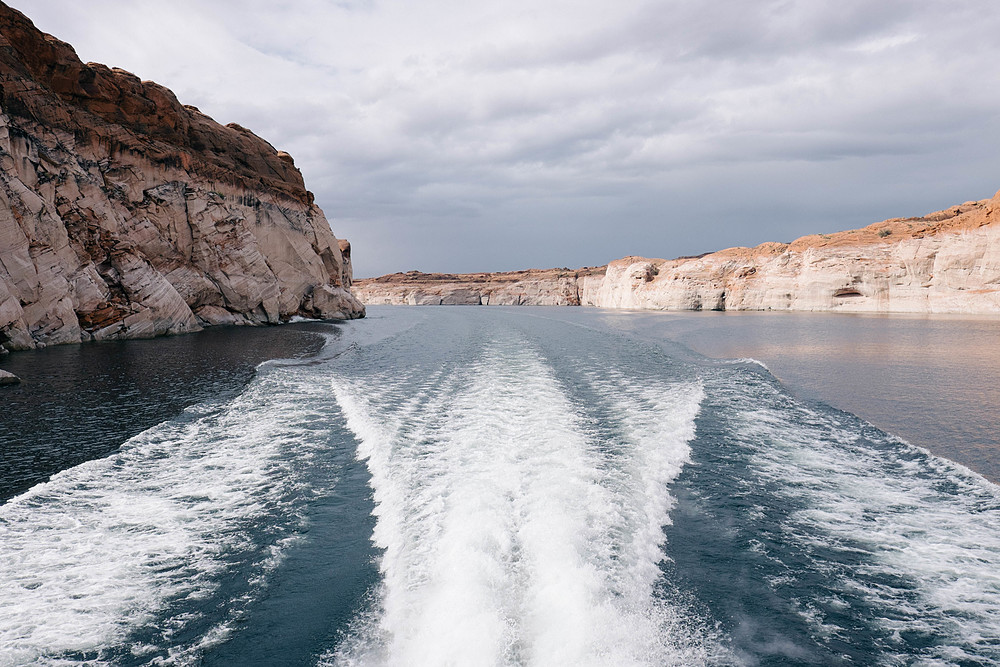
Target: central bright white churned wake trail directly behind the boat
511 533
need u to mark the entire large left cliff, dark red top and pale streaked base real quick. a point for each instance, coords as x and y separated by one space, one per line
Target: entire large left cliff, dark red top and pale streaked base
125 214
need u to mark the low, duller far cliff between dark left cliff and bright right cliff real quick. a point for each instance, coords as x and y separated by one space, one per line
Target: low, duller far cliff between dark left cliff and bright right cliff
535 287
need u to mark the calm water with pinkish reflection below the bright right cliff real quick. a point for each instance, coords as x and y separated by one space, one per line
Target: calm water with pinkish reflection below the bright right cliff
933 380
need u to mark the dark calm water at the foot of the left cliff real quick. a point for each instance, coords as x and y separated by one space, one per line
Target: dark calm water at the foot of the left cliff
79 402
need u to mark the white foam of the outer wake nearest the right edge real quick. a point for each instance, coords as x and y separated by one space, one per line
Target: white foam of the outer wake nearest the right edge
918 520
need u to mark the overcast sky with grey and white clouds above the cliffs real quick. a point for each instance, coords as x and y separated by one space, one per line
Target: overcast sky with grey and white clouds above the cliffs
470 135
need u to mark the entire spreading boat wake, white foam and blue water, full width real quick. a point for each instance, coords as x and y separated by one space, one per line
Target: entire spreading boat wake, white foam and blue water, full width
502 486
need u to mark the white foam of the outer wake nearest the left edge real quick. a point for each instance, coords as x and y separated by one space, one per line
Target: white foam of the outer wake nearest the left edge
109 546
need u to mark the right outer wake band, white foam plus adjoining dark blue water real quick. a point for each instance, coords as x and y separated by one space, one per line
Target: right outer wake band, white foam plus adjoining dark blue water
831 542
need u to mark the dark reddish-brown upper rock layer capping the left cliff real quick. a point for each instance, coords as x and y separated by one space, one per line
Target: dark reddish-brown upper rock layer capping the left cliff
44 80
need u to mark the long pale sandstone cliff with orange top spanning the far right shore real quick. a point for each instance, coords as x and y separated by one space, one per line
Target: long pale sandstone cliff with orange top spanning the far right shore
945 262
